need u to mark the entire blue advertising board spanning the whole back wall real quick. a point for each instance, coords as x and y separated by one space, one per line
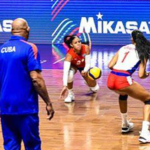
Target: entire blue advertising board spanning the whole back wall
51 20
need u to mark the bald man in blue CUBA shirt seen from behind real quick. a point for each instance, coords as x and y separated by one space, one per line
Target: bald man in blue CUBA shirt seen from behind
20 83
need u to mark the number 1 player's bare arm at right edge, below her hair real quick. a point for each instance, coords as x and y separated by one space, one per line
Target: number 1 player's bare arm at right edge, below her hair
142 70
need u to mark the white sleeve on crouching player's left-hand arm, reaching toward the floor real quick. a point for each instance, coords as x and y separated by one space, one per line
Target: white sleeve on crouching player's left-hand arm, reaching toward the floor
67 65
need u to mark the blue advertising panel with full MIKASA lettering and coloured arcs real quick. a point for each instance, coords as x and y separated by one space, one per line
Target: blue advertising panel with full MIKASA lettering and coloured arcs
116 11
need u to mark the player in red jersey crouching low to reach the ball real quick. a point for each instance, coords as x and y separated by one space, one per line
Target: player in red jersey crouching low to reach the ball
77 58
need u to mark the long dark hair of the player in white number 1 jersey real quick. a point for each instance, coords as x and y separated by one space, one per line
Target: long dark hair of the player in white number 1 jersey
142 45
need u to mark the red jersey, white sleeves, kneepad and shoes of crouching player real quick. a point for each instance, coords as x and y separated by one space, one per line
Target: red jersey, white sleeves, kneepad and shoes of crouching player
80 62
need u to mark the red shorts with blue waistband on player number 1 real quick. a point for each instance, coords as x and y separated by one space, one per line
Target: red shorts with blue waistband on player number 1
118 80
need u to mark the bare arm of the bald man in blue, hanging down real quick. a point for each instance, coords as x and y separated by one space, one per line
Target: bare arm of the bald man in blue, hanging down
40 87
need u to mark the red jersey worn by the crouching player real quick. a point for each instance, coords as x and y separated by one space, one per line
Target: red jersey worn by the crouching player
78 60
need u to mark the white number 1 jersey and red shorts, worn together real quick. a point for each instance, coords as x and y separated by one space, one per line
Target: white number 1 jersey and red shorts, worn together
128 61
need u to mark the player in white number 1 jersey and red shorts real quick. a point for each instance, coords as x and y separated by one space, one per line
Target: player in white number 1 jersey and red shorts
123 64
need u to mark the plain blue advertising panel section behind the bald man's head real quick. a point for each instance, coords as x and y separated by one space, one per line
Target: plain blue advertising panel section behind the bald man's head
37 13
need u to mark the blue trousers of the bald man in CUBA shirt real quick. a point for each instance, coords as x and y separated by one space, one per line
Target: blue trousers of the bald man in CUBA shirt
16 128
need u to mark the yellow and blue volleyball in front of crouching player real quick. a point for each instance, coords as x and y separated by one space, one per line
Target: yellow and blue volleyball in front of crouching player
94 73
